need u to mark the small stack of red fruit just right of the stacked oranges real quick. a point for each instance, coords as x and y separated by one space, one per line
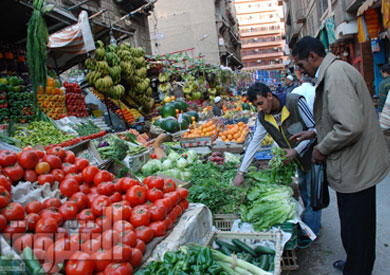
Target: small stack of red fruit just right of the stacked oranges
75 102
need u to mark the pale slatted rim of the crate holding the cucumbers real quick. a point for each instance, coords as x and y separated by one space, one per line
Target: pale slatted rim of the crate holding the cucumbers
251 238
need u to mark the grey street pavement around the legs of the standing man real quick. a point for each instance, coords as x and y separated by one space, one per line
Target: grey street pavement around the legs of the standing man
327 248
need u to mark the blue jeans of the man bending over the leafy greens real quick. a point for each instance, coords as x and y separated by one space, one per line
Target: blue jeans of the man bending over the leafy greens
310 217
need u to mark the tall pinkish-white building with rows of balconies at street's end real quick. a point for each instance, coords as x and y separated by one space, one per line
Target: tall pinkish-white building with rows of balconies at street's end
261 31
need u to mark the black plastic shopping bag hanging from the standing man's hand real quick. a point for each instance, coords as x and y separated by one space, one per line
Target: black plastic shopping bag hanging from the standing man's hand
319 193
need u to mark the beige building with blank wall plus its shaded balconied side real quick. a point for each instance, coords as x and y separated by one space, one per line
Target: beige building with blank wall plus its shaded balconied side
201 28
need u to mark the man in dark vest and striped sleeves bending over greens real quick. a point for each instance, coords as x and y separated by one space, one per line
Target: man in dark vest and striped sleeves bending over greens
283 115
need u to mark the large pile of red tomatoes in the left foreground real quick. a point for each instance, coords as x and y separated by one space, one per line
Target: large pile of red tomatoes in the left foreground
115 217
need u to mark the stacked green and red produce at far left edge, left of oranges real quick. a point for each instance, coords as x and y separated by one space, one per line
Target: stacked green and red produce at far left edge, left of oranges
15 101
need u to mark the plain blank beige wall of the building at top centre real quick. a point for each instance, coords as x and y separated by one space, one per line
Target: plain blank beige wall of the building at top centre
181 24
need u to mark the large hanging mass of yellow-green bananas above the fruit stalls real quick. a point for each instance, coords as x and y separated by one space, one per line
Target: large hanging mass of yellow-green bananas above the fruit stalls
113 64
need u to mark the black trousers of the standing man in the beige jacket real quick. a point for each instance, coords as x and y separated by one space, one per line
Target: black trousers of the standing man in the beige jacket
357 212
